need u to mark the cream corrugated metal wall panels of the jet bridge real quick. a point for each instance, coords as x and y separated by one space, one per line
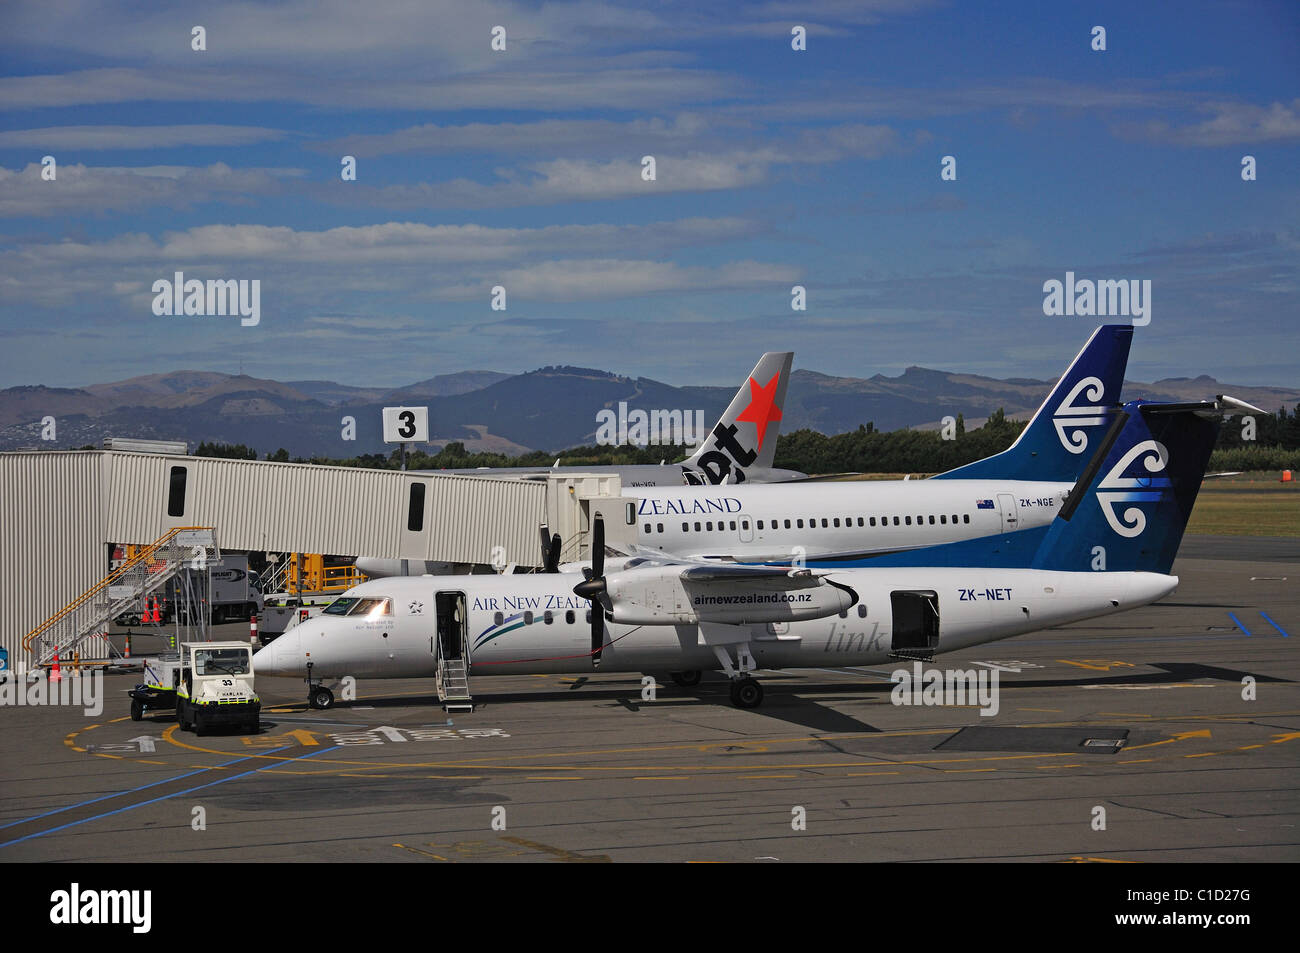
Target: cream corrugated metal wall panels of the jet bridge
59 512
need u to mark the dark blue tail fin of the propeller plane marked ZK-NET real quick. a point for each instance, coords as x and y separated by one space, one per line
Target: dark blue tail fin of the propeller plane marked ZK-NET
1130 509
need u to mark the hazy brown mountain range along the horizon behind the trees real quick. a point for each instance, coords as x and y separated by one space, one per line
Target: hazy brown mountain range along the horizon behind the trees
549 409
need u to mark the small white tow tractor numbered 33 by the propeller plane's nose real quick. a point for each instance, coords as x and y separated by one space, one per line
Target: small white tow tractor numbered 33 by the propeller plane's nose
210 685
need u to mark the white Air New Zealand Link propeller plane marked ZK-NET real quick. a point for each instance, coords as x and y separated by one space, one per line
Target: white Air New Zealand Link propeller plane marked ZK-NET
1110 548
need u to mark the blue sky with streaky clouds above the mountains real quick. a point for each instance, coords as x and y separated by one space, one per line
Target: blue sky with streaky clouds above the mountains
523 170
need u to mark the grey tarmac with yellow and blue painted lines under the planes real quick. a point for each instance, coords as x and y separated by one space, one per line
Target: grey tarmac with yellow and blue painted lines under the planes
1165 734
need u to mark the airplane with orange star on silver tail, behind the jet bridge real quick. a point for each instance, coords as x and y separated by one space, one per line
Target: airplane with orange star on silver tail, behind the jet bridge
740 449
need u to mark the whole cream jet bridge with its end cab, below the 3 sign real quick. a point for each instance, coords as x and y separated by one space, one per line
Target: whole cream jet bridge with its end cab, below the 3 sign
64 513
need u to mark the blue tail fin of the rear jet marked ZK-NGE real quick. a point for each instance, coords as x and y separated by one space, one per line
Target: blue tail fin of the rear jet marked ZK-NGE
1055 445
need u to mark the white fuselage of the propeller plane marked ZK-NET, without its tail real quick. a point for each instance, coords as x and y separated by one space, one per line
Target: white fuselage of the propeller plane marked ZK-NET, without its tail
535 625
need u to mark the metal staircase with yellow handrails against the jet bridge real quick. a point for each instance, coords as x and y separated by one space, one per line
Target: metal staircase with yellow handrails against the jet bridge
127 588
